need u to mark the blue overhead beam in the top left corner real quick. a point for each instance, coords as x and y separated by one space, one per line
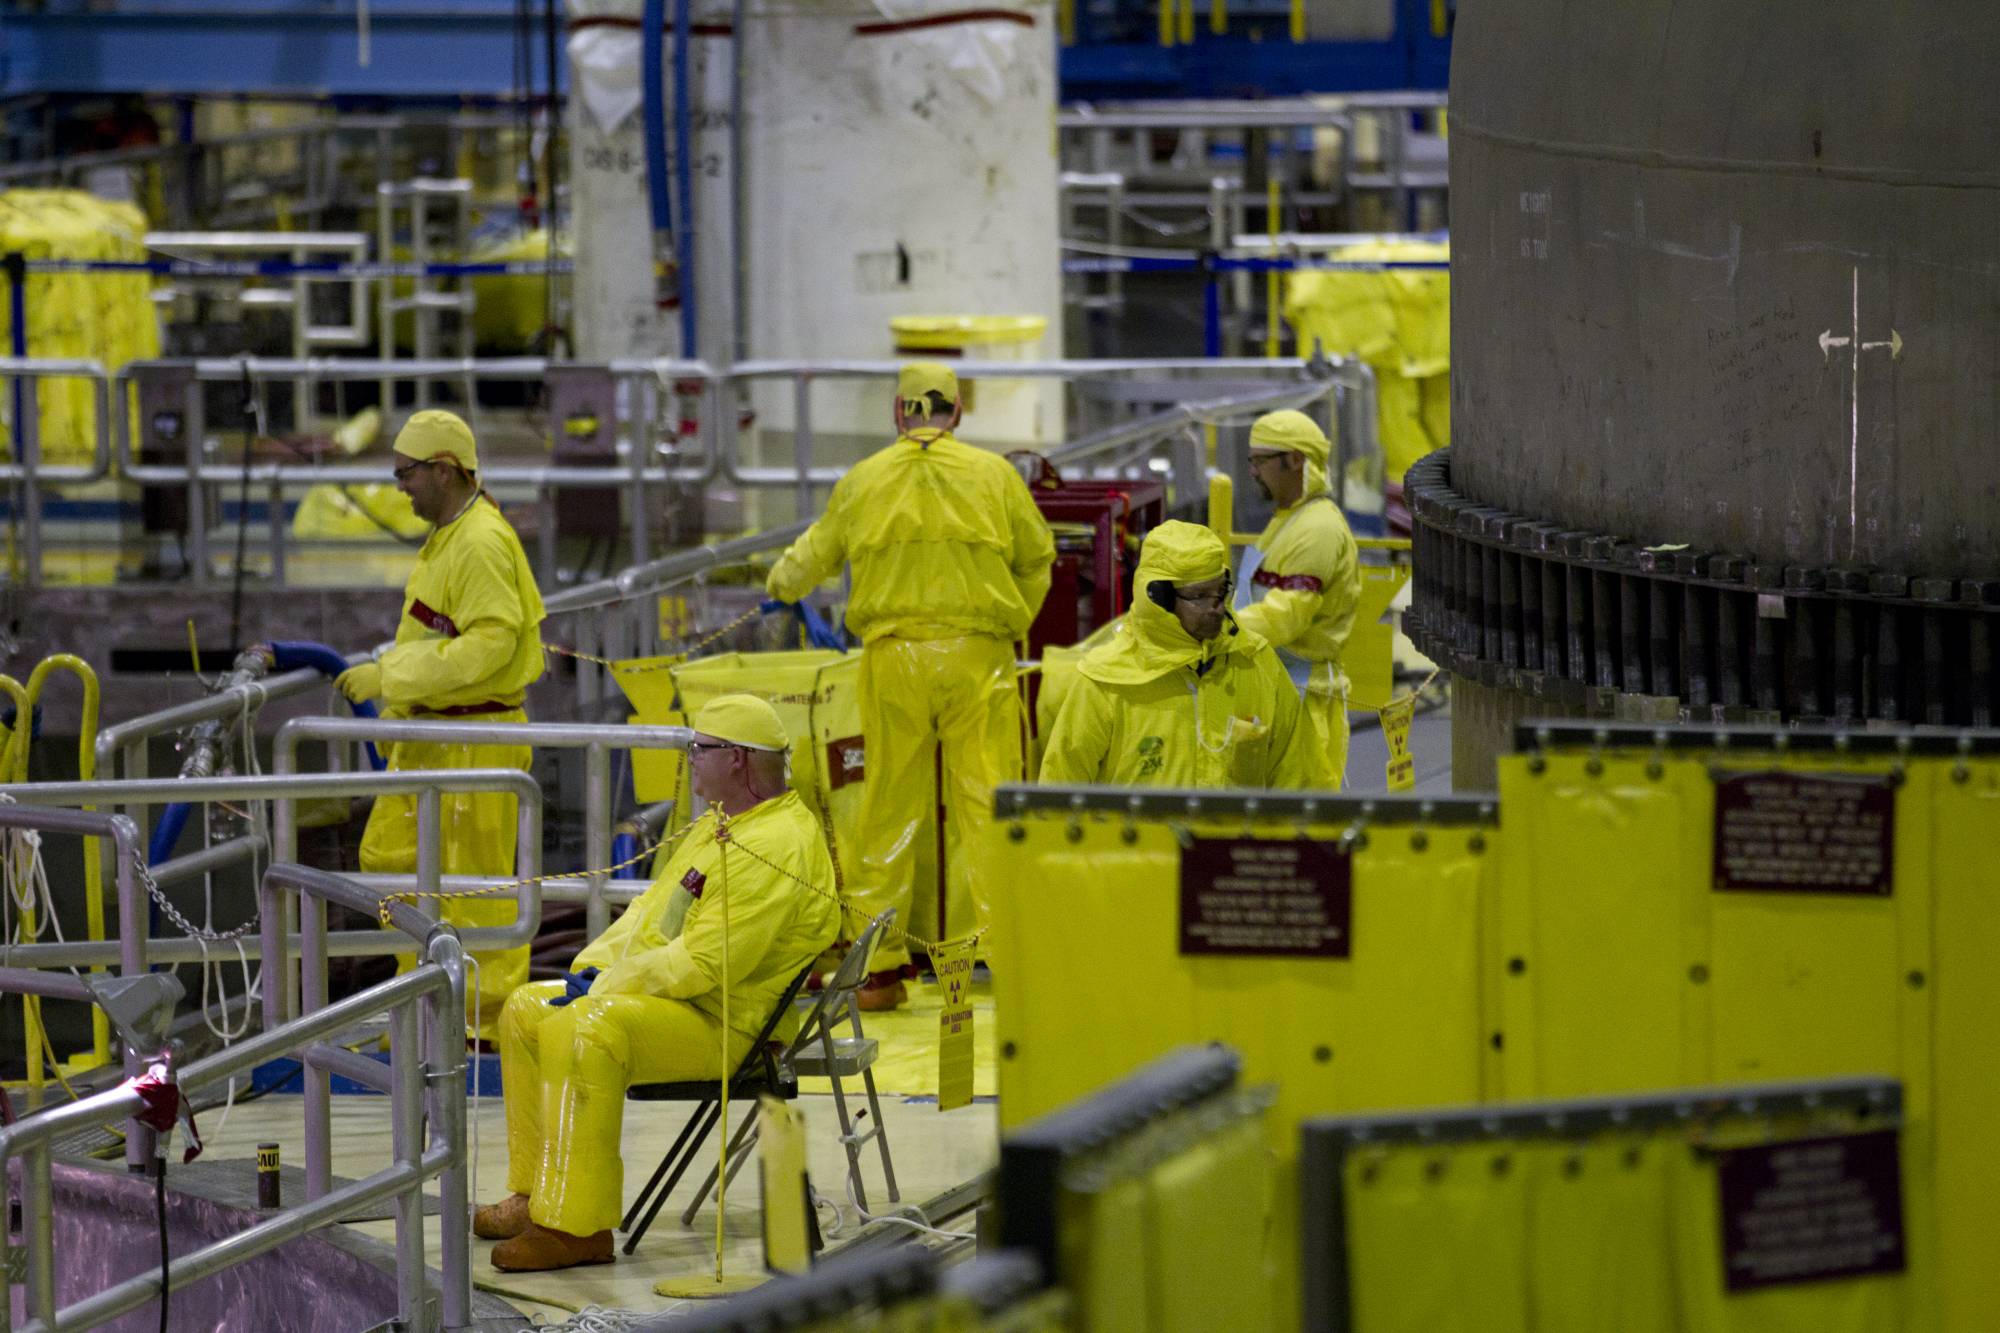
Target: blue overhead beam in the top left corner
417 49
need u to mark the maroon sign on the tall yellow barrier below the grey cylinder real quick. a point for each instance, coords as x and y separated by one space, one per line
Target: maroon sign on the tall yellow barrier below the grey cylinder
1805 834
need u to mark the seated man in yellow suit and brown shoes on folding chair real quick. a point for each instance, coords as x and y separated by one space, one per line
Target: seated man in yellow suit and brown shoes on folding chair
643 1004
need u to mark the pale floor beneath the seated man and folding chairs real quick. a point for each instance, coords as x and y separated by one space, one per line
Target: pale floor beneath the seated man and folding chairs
933 1152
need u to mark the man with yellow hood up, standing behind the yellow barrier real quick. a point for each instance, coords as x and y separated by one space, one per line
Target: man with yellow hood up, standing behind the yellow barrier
1183 696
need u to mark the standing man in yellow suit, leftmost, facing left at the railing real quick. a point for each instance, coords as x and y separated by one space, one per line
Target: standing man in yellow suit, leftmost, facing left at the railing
469 645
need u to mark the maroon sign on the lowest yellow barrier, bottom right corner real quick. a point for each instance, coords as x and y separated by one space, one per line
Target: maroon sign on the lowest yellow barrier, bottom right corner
1811 1210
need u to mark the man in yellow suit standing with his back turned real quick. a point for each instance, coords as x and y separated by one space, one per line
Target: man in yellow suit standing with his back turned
951 565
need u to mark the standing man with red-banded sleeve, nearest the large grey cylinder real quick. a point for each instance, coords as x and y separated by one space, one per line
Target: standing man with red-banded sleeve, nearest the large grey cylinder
1299 585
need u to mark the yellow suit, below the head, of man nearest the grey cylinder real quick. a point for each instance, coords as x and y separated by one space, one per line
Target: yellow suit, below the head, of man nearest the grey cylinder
1301 599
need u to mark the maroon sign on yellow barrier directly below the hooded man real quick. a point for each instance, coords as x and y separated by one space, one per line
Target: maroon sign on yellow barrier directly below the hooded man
1263 898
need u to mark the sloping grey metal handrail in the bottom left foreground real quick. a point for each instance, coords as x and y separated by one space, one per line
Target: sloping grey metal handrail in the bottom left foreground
423 1084
